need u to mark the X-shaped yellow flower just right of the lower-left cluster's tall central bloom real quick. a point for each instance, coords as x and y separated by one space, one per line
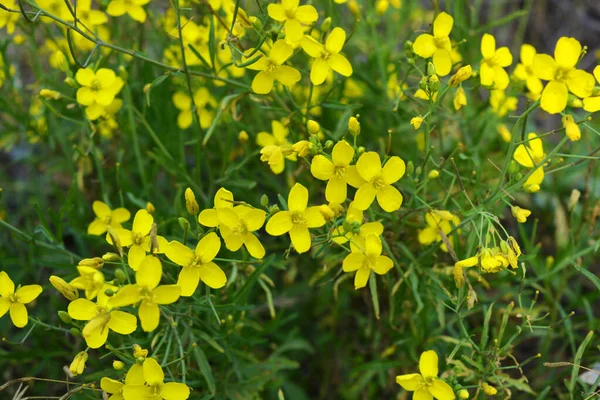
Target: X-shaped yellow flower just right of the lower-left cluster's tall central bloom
198 264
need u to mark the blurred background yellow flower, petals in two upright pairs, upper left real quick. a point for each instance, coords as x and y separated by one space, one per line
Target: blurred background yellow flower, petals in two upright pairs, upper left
203 100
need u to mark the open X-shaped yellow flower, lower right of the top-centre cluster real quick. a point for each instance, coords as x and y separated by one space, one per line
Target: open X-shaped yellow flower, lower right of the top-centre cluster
328 57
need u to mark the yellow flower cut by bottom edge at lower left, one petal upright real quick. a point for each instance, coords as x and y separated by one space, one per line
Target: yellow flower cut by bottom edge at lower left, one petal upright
155 388
